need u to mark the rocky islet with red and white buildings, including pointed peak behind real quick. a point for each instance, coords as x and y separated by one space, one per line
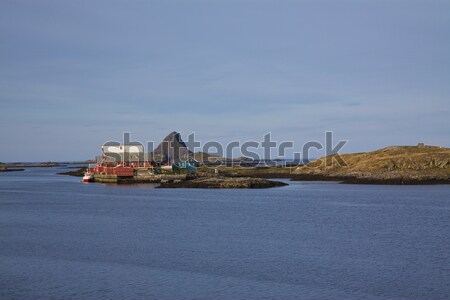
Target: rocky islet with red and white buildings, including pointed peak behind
171 164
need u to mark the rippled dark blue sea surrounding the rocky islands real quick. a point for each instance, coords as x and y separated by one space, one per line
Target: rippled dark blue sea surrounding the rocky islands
63 239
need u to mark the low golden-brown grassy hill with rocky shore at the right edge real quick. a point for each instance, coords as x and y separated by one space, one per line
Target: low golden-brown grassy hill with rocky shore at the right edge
395 164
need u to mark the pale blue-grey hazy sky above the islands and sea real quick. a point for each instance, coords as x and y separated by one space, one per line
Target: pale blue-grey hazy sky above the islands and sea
76 74
